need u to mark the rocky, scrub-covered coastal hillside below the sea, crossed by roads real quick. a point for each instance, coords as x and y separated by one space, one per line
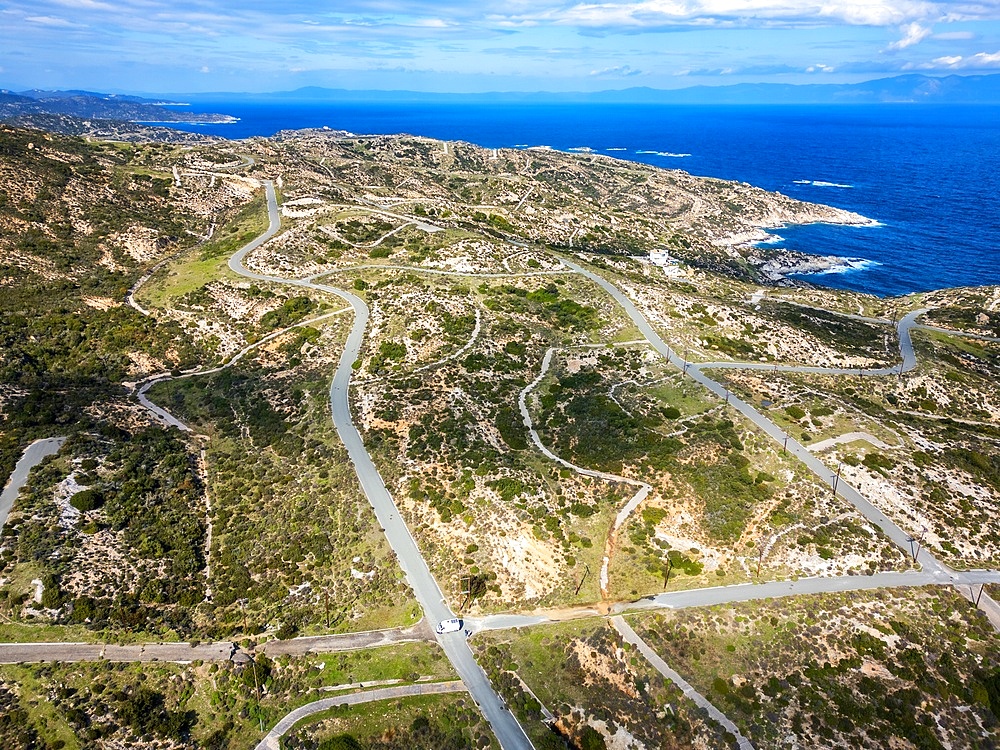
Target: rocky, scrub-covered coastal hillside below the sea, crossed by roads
551 457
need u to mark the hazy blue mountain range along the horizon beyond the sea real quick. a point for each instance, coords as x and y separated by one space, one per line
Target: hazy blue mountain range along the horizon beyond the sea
904 89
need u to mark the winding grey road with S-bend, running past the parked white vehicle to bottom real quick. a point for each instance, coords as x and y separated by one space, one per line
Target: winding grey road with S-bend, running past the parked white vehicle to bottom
506 728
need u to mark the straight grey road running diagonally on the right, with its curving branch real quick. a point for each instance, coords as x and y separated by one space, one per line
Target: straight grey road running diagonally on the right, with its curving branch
899 537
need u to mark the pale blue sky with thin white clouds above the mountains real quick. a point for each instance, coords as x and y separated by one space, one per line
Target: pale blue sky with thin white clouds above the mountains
161 46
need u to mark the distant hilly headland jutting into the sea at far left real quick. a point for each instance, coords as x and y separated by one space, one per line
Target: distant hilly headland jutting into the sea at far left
91 105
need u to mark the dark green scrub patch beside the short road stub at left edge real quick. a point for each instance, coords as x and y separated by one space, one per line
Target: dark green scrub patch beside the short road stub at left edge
149 493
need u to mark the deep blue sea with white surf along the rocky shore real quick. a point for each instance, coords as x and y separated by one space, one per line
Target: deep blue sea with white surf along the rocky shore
929 174
